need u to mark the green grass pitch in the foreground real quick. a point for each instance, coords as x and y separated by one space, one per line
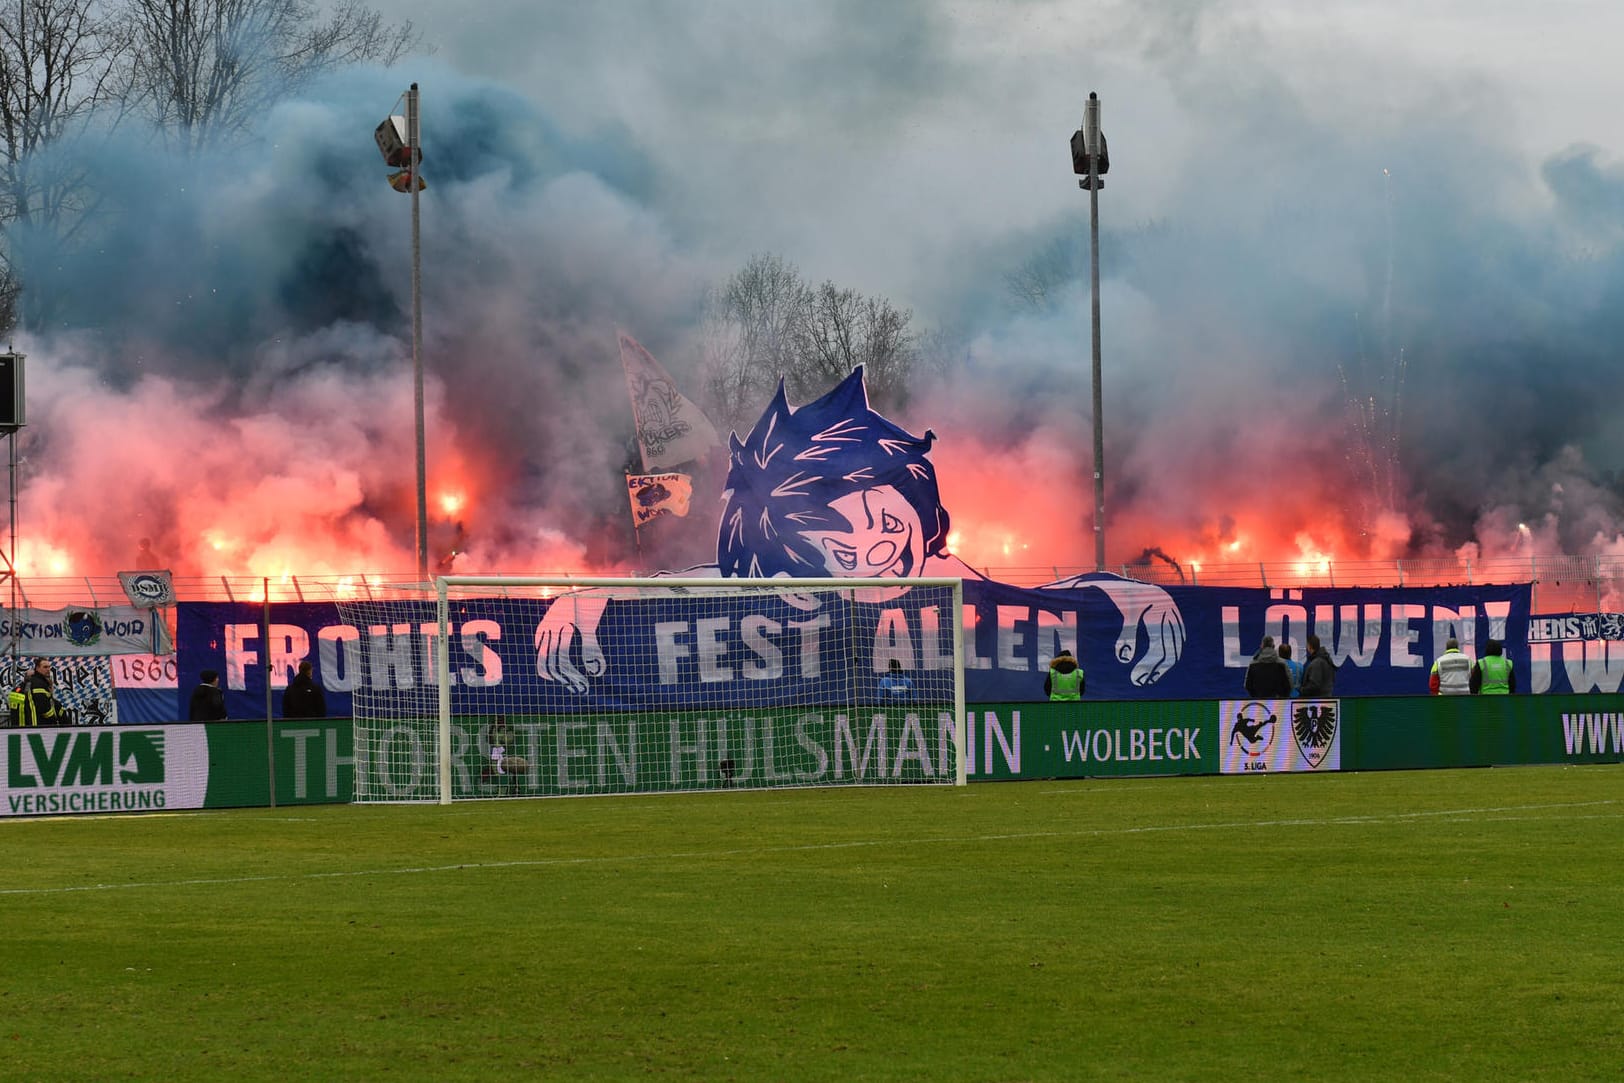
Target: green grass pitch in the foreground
1417 926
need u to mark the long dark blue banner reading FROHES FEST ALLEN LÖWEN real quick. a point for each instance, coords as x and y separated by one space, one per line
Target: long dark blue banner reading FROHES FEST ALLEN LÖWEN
1136 642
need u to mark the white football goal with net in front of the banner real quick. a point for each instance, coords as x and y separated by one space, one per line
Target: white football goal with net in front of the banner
569 686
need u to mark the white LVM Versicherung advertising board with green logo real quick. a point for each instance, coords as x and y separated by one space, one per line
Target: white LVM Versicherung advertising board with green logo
64 770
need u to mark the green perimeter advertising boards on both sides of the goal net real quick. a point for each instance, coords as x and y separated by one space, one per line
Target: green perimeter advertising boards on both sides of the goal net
223 766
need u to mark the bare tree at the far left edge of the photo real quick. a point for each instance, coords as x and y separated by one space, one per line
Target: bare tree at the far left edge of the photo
58 63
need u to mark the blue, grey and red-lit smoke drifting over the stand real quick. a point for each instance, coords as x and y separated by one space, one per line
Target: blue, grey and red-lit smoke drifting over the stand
223 366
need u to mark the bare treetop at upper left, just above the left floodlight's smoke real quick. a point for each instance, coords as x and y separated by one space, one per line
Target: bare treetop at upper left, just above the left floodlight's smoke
205 69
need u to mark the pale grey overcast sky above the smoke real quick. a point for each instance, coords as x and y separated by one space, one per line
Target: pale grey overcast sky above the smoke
871 142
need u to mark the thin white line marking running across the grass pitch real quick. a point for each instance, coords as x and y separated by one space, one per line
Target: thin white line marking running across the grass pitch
542 863
